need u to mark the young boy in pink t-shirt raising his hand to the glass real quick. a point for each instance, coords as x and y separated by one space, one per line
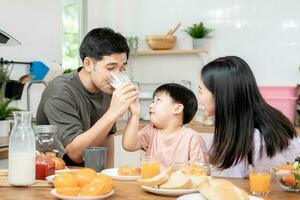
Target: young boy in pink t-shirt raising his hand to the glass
166 136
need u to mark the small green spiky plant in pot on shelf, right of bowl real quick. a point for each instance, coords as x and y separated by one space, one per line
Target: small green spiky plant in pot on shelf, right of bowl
198 32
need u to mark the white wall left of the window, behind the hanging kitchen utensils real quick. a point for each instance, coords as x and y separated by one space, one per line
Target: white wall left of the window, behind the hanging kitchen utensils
37 24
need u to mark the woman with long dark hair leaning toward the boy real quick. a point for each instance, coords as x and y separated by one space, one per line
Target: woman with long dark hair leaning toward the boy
247 130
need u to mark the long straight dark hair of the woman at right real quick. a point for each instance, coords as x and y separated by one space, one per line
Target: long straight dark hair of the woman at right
240 109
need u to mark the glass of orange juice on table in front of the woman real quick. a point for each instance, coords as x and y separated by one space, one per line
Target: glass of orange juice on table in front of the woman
260 180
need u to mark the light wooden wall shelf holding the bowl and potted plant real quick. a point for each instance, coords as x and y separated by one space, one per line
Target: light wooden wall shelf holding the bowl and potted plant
170 52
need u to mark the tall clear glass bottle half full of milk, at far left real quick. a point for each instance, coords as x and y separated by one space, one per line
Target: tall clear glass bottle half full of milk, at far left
21 156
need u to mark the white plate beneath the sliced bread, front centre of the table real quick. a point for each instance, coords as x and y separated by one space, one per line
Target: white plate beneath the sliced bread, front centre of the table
169 192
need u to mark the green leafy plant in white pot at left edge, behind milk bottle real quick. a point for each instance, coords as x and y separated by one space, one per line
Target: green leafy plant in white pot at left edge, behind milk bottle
6 113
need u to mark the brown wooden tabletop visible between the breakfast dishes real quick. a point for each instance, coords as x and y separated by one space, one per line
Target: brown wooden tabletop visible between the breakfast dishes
129 190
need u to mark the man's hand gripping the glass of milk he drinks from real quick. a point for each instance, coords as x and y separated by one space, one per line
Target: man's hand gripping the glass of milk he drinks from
122 98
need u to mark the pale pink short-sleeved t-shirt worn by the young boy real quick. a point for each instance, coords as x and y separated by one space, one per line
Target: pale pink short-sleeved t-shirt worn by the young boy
187 145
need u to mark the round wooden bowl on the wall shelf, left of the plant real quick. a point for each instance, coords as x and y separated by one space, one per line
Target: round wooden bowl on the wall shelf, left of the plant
161 42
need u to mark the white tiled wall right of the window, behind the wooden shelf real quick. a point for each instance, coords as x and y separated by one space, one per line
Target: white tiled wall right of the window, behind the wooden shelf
263 32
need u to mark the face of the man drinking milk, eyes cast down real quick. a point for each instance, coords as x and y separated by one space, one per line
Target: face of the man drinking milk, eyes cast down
100 71
